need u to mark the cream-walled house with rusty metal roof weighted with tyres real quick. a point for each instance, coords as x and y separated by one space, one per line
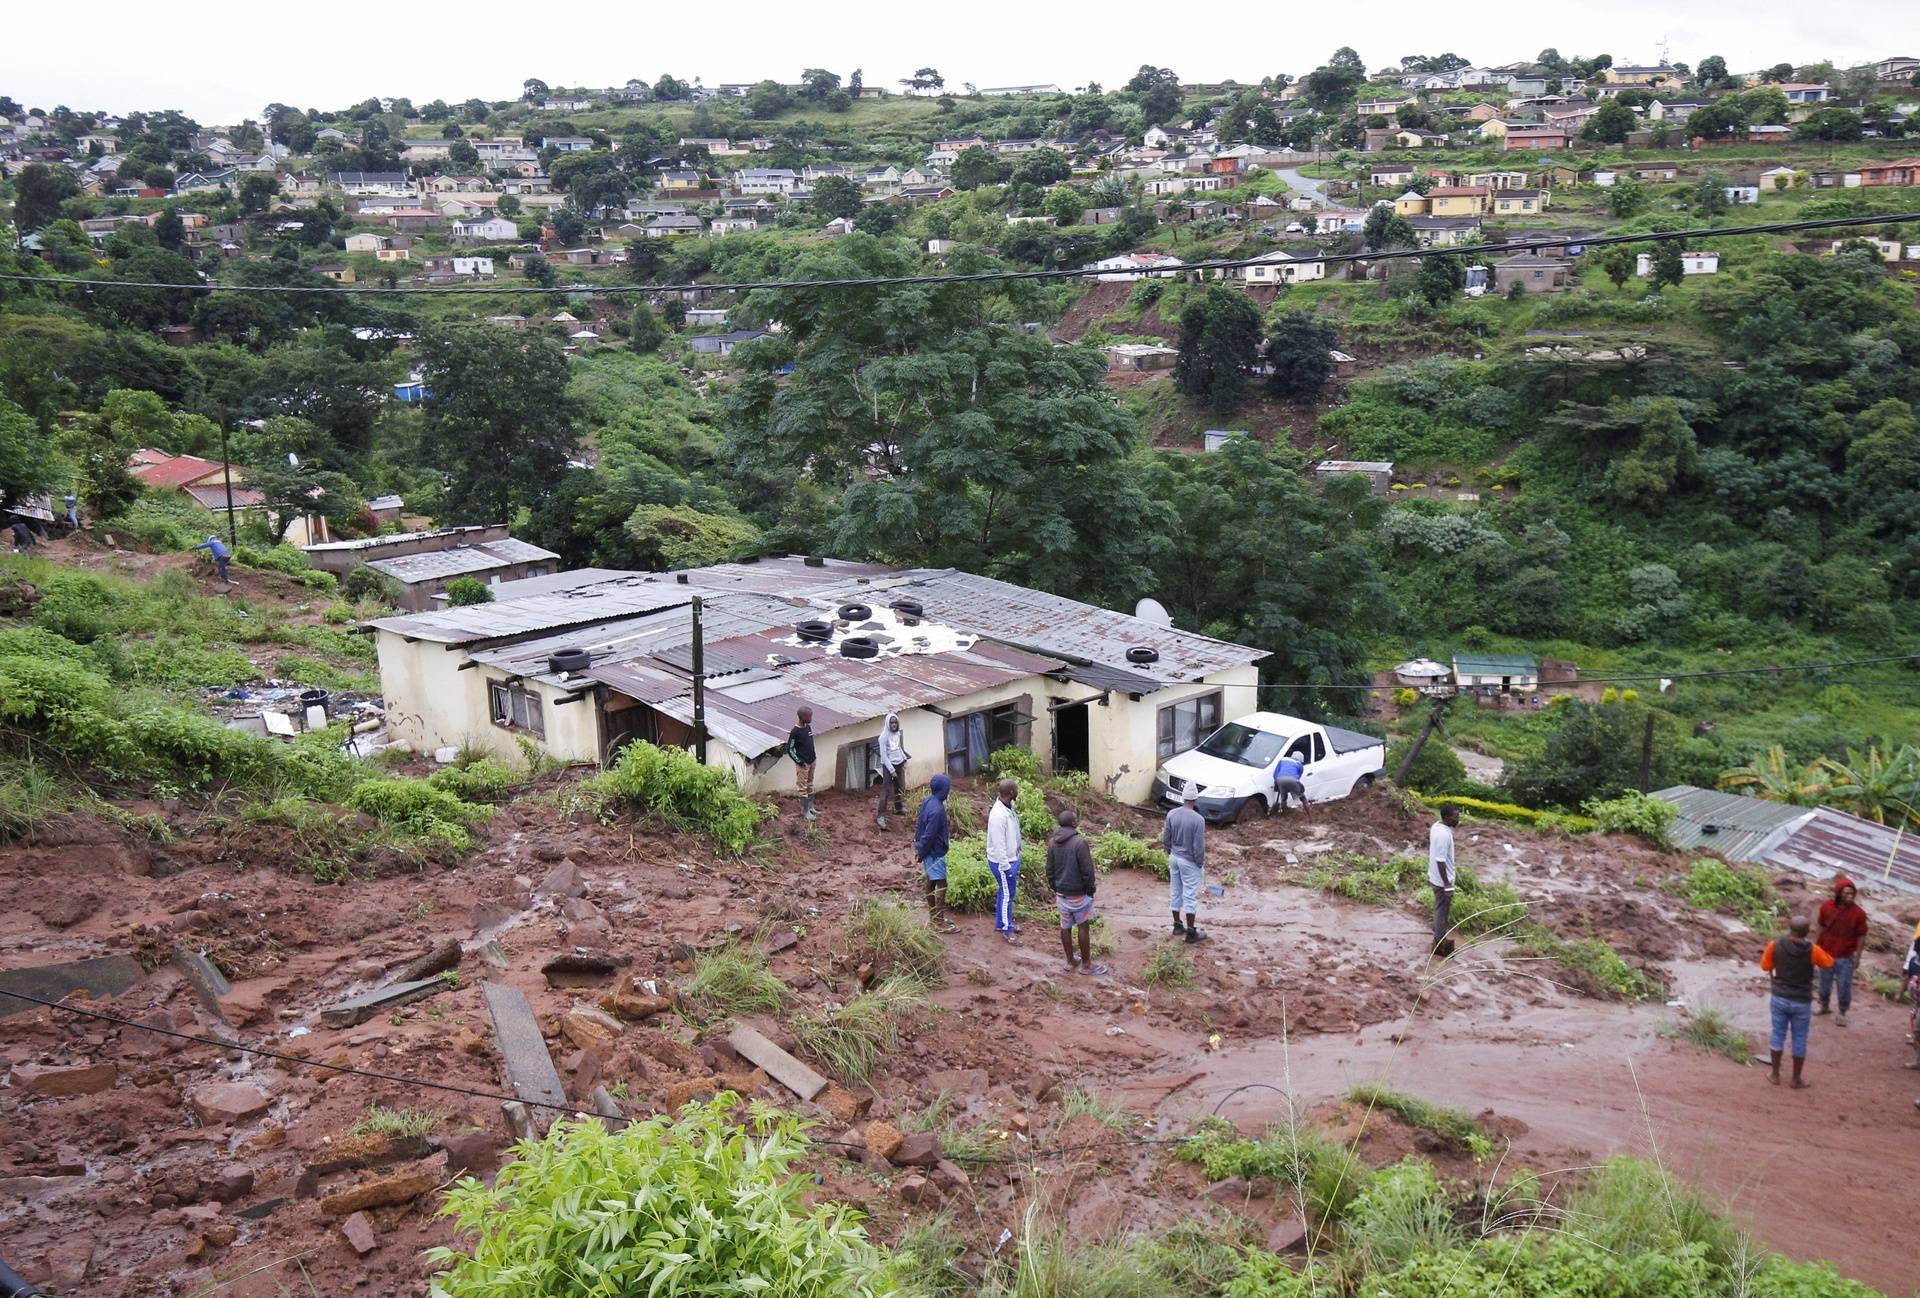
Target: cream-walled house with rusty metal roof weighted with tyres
969 663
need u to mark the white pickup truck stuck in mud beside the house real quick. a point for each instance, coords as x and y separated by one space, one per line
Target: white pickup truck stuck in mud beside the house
1232 773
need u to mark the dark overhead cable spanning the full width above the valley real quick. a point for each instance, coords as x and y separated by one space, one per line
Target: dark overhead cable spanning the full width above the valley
992 277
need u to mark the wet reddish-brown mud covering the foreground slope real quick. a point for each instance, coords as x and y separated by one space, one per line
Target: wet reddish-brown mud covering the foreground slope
126 1193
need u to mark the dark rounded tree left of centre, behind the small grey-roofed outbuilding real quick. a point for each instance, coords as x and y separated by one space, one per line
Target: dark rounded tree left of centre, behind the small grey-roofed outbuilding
498 423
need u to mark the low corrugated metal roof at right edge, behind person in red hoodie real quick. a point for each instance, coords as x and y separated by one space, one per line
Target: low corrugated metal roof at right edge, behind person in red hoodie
1813 840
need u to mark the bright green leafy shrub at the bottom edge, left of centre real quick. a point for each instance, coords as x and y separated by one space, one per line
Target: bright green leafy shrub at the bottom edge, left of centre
684 1205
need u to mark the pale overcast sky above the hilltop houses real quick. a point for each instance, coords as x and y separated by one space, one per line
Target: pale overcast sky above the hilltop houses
228 62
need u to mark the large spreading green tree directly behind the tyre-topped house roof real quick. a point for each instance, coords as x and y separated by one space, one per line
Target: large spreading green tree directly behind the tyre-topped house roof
940 435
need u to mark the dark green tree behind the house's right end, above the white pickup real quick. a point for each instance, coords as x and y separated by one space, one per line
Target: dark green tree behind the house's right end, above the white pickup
1262 556
